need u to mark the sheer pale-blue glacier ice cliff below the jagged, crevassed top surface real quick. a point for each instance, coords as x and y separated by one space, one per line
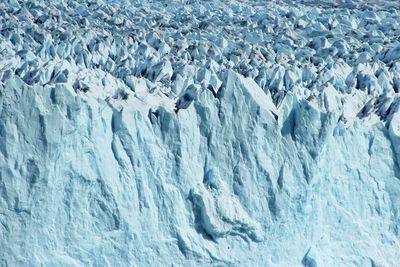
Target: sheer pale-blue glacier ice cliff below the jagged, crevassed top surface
218 183
